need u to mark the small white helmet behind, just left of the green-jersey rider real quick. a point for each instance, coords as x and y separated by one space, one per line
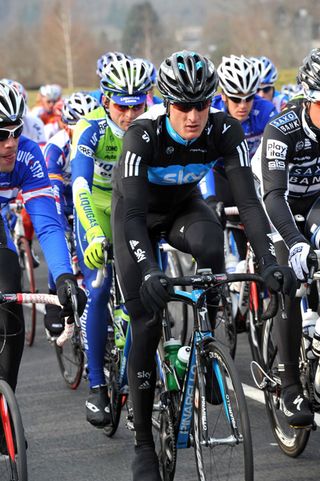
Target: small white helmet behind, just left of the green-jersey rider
76 106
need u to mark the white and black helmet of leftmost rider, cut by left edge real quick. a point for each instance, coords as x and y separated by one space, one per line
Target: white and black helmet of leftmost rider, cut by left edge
12 105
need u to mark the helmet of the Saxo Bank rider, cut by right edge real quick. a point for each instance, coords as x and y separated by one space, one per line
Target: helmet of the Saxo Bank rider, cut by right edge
309 75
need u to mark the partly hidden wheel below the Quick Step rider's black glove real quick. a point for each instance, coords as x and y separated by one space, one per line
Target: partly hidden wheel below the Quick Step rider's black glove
70 358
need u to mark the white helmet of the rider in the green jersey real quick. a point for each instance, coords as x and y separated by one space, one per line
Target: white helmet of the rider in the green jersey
126 77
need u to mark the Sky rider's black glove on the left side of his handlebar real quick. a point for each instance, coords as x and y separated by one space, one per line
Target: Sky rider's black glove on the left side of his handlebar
155 291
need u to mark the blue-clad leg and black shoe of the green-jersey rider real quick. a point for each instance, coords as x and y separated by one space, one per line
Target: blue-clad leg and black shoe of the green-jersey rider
94 325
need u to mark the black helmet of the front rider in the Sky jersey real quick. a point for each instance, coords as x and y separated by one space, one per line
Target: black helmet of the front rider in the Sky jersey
187 77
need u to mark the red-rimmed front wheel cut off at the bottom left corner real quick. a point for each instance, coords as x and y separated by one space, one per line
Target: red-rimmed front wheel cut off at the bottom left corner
13 466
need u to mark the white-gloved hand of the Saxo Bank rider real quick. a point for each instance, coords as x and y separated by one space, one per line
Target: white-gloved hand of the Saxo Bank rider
301 258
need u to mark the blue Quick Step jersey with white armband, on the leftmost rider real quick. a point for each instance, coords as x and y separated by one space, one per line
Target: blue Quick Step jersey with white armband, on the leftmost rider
30 176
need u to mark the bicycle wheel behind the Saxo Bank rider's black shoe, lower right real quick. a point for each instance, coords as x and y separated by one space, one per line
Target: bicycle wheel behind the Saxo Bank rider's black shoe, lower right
291 441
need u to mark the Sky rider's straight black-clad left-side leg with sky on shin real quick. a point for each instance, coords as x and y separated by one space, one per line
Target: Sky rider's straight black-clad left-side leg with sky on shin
141 365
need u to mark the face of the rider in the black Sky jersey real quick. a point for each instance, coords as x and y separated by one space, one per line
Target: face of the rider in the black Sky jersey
189 125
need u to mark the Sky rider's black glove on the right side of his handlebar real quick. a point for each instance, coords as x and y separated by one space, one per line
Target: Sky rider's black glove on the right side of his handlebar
285 282
